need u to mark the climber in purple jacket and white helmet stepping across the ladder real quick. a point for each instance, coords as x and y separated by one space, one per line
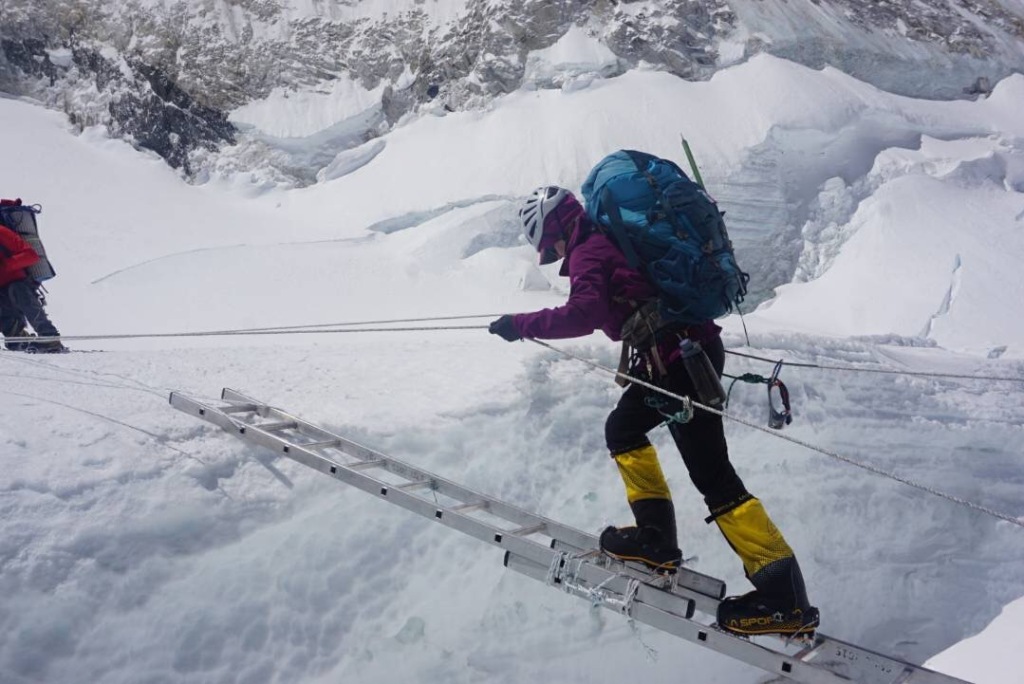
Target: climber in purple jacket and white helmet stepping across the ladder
604 295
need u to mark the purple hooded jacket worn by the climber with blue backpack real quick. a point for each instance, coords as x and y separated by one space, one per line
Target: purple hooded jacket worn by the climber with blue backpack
603 285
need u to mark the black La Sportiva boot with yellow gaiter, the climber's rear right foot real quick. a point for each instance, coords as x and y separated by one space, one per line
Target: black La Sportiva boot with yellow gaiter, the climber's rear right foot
779 605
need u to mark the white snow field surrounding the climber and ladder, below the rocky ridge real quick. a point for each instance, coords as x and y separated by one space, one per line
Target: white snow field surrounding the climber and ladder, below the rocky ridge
140 546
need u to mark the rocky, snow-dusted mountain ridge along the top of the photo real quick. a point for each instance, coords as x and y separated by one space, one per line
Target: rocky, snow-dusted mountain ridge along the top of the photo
166 76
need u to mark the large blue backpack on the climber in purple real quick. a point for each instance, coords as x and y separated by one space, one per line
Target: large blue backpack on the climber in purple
671 231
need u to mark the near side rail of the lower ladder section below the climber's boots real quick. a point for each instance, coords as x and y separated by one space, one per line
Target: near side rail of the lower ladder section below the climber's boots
703 635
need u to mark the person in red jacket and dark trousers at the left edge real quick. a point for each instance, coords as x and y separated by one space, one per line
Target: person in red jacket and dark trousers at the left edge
20 303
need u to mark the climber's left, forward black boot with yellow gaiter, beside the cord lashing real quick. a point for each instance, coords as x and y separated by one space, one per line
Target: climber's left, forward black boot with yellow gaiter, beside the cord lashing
653 541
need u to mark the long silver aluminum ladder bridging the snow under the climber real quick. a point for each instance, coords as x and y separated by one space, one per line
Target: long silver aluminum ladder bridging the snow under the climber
548 551
